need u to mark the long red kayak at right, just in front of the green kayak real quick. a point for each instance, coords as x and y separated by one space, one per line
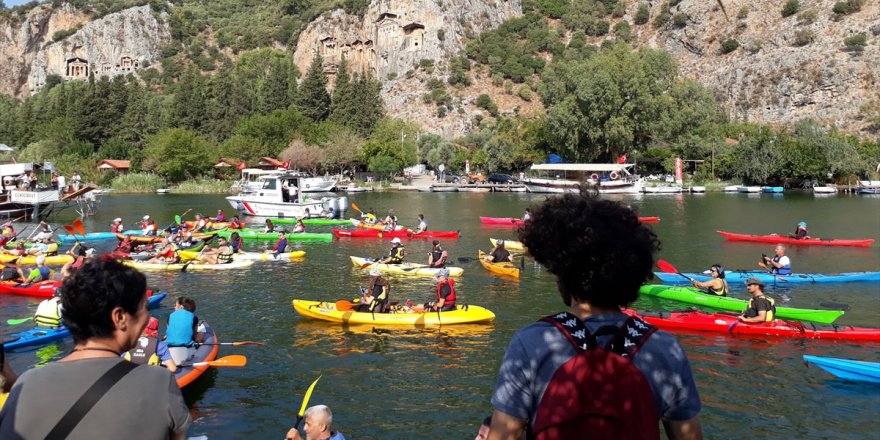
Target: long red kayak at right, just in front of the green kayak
721 323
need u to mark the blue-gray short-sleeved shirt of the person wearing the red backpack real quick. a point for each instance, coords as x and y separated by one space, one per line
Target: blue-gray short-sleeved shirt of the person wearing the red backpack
537 351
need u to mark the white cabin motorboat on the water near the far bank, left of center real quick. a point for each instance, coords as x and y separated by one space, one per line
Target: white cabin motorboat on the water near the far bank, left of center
281 195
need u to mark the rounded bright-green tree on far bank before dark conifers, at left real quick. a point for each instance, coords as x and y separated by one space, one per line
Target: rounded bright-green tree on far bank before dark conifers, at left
178 154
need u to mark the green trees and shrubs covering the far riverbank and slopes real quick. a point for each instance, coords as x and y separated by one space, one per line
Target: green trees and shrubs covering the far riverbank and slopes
177 120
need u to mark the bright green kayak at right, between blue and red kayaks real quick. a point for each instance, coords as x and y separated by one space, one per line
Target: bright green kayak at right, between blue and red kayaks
691 295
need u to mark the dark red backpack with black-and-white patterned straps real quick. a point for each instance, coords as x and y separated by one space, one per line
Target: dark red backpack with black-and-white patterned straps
599 393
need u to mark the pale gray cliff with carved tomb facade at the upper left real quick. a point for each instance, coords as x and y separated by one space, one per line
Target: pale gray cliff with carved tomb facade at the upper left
117 44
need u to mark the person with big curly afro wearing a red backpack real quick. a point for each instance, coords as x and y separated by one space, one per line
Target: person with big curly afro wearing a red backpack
600 254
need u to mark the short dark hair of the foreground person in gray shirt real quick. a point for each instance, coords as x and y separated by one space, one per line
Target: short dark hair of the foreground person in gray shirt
91 293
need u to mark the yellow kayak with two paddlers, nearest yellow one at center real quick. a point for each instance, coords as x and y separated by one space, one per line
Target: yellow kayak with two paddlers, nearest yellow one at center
463 314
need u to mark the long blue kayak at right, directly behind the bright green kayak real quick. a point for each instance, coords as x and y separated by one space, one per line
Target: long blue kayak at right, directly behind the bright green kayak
738 276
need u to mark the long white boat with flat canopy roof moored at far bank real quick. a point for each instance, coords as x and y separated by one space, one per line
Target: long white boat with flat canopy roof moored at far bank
567 177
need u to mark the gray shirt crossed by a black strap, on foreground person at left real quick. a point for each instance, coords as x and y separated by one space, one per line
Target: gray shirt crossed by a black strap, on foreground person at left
145 404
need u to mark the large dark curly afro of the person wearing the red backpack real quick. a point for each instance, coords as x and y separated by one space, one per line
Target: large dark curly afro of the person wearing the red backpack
599 251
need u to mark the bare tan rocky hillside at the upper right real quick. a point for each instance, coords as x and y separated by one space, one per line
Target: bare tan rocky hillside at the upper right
786 68
